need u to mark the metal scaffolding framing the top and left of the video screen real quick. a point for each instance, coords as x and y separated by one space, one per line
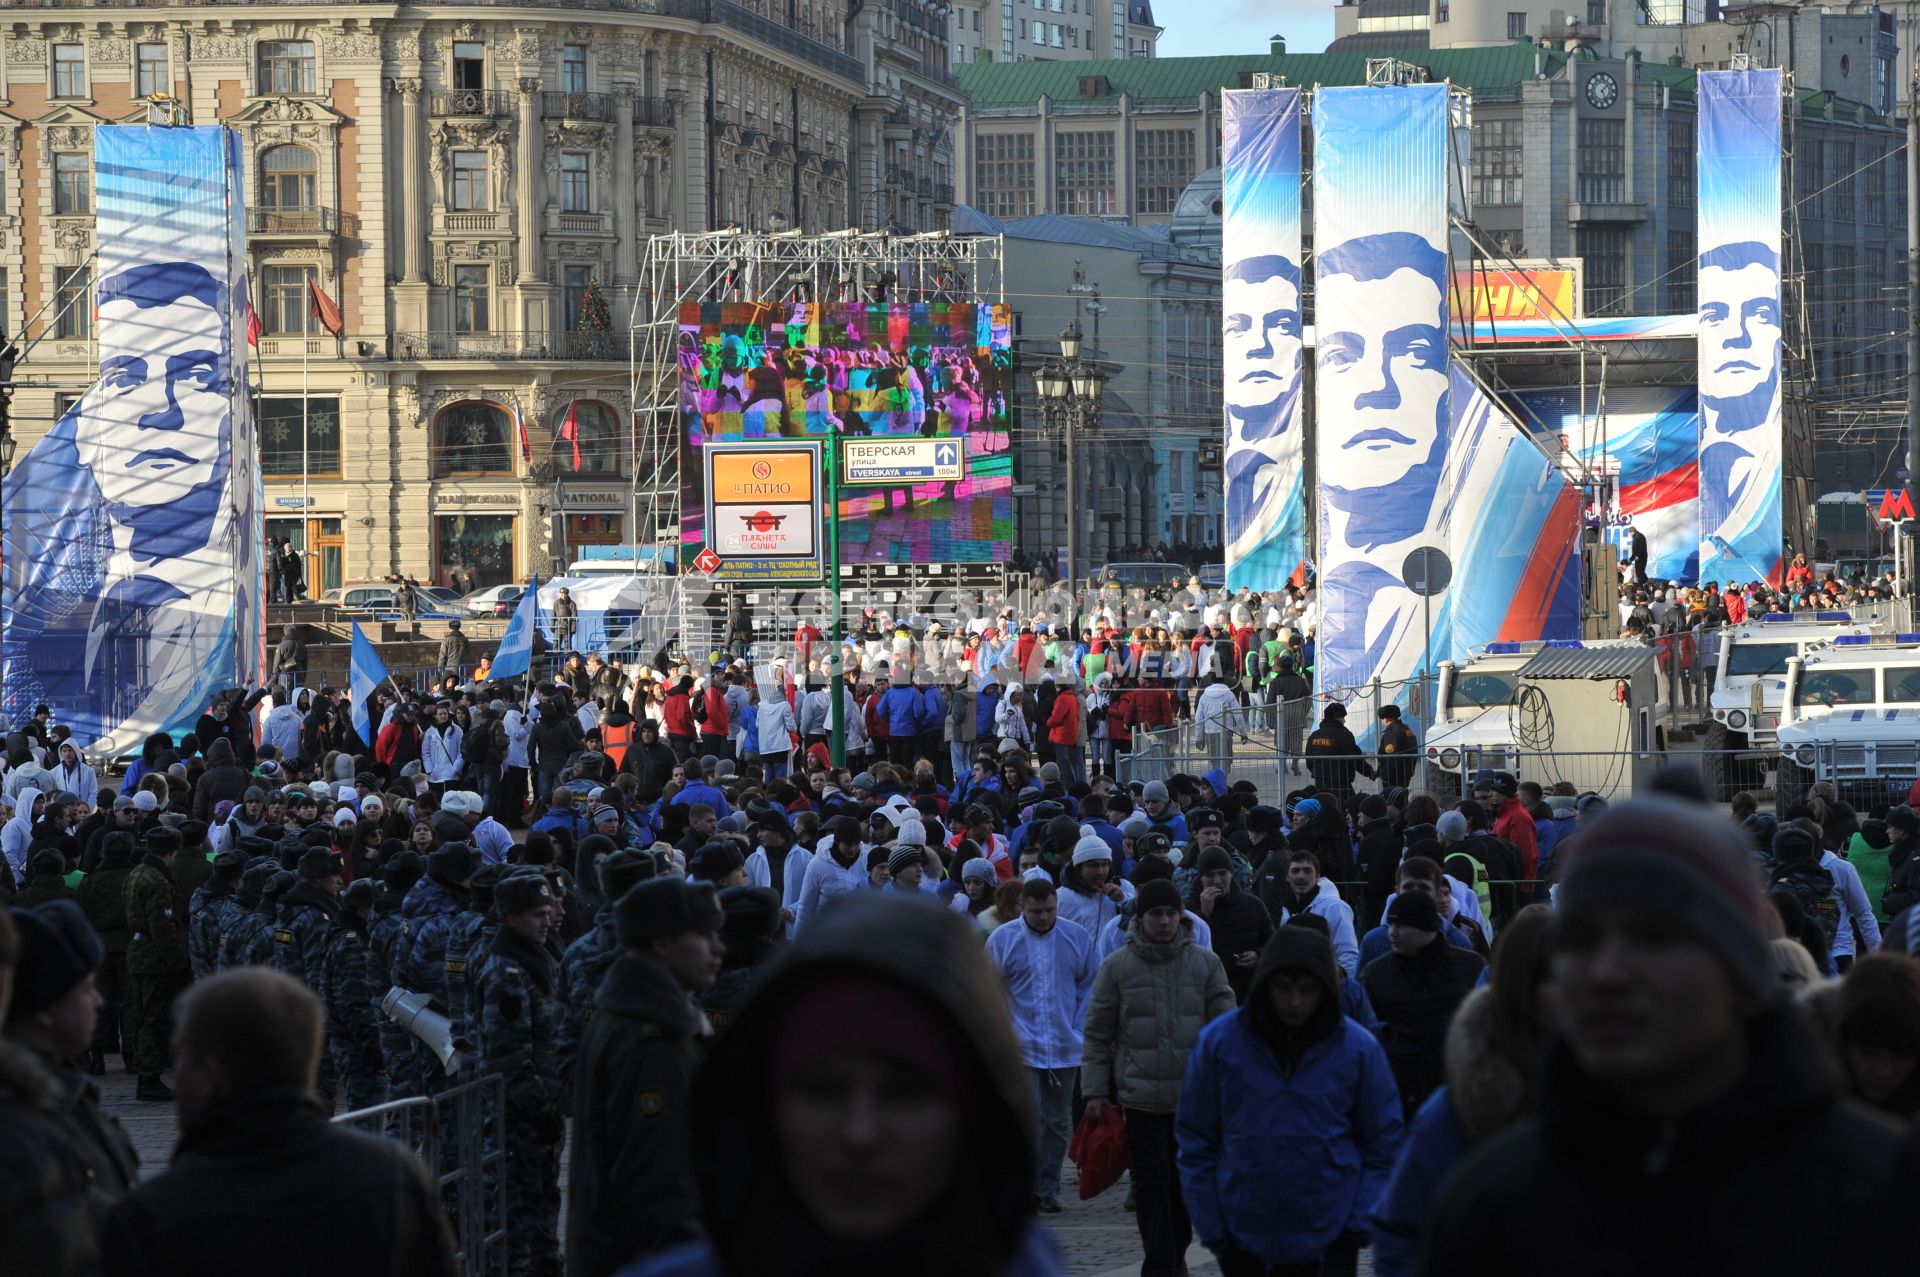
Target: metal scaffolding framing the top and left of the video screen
744 266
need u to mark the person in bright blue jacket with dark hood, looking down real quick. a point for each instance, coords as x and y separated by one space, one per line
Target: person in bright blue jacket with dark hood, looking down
1289 1120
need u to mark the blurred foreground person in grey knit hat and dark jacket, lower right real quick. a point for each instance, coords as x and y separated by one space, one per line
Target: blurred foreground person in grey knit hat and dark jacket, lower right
1677 1057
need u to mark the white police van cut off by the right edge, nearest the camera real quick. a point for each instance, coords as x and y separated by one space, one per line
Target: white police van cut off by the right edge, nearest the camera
1852 715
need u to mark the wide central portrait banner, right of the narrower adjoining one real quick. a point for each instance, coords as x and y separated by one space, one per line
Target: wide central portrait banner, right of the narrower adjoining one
1381 375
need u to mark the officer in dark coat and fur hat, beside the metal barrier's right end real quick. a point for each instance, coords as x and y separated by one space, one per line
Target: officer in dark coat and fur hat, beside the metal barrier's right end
631 1170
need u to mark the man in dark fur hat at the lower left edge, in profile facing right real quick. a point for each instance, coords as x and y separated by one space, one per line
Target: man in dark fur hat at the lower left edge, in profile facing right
51 1019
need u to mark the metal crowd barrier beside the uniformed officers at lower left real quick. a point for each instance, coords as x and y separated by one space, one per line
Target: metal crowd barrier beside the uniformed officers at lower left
460 1134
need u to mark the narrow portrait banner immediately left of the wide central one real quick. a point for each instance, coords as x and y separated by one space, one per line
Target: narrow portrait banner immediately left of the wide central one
1262 364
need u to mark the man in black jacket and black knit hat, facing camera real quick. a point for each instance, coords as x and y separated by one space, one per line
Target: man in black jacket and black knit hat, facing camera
1416 988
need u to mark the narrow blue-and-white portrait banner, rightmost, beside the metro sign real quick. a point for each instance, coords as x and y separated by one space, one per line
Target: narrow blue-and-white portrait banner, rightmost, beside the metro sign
1740 325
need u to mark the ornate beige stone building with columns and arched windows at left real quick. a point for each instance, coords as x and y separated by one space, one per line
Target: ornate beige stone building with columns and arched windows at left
475 187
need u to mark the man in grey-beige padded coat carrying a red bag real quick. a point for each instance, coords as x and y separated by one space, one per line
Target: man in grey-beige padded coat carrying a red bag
1151 1000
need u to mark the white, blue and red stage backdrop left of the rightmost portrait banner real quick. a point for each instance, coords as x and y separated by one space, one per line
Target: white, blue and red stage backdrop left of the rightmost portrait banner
1648 448
